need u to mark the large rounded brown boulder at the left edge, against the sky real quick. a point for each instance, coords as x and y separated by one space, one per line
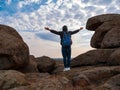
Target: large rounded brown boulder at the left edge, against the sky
14 53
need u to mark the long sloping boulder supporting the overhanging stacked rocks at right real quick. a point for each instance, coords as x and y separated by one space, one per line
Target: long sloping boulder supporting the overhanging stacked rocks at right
97 57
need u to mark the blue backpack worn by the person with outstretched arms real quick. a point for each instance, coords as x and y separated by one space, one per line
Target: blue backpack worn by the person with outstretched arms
66 40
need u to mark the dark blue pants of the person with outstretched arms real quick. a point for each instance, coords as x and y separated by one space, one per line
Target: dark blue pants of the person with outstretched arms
66 53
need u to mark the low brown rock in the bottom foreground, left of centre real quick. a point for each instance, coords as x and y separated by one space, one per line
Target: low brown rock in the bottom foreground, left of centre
44 81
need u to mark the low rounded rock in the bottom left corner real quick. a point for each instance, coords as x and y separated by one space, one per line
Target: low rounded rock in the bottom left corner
11 78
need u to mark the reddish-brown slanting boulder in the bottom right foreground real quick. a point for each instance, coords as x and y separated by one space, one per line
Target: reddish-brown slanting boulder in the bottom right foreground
90 79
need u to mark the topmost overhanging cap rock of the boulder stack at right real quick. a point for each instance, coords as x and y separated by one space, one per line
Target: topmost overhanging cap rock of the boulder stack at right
94 22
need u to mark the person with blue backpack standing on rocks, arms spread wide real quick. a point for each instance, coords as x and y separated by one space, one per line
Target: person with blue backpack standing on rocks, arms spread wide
66 43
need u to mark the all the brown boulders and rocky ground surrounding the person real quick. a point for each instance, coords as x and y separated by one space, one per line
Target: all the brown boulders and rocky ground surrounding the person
97 69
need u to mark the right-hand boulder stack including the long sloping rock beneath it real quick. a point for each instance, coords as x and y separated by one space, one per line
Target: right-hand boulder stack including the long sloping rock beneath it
106 39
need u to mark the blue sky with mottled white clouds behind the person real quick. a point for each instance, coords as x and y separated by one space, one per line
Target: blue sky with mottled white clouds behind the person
29 17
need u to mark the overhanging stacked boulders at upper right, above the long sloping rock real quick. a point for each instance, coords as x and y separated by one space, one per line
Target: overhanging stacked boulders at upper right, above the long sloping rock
106 29
